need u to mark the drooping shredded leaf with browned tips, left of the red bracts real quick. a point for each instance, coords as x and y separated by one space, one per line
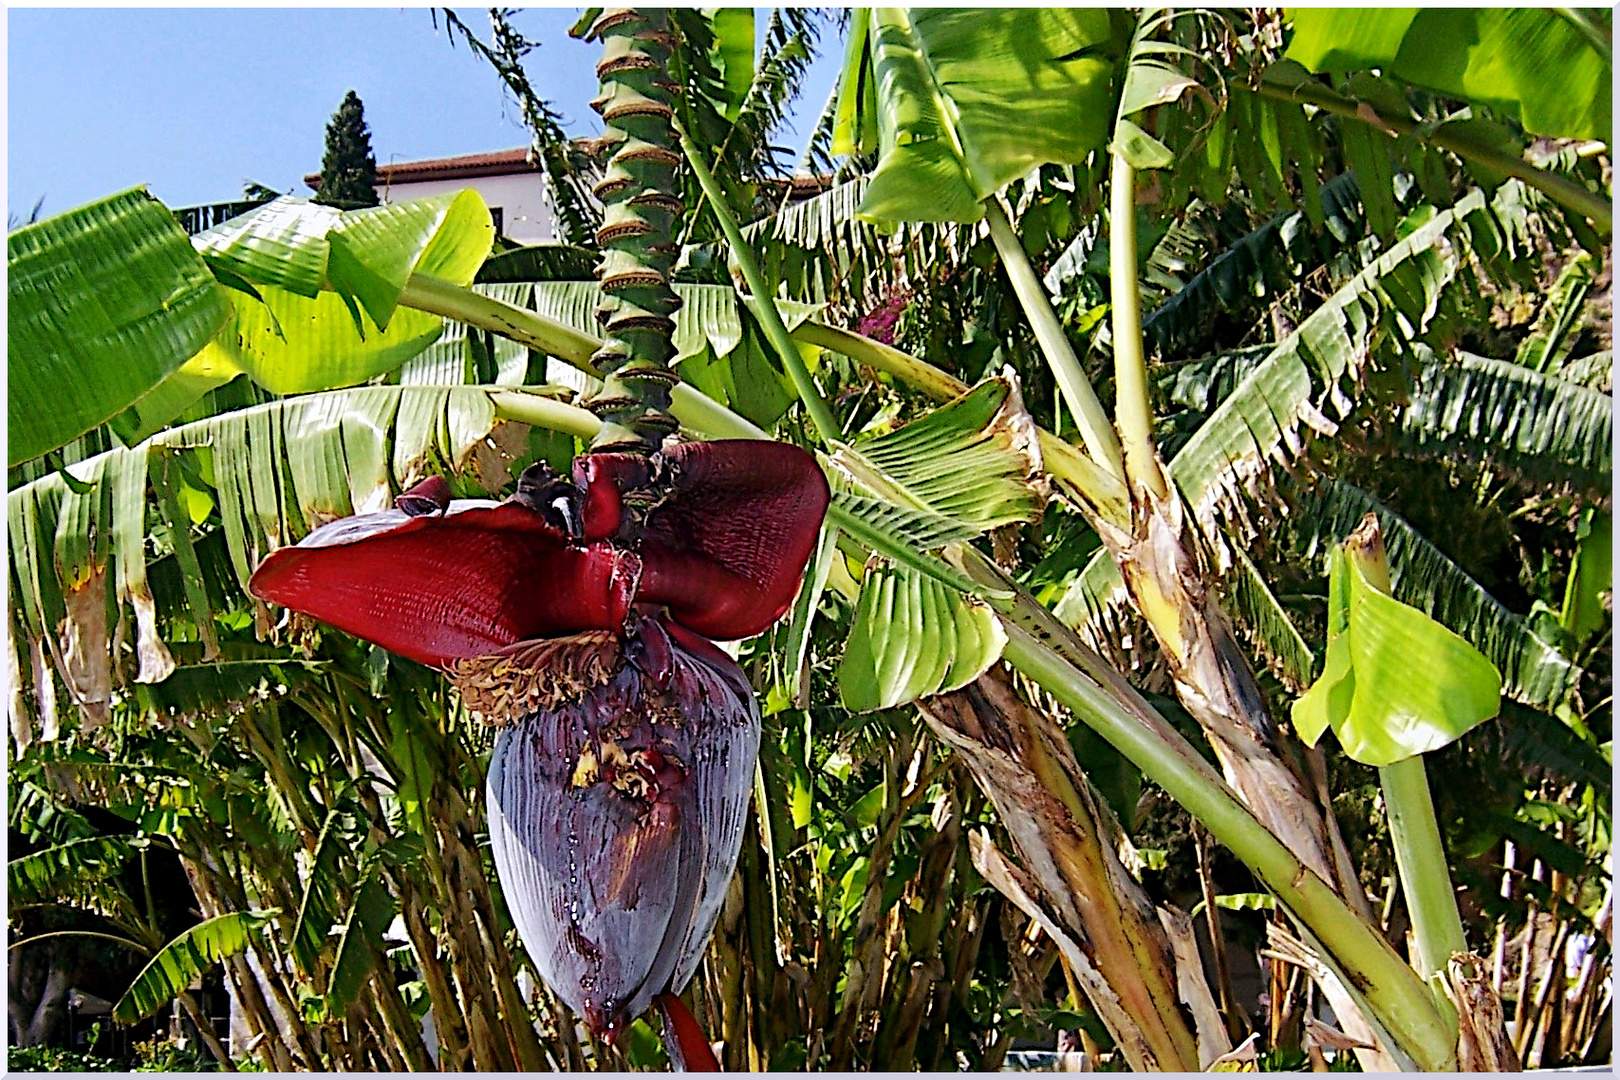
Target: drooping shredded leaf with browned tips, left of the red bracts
275 472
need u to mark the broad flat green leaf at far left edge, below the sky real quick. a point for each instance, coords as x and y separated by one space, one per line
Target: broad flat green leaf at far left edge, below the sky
103 304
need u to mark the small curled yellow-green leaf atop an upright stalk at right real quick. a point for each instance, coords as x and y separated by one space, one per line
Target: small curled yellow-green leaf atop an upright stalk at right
1397 684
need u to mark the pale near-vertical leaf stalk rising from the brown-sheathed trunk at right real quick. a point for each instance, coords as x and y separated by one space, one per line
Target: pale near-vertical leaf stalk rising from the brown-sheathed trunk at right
1133 404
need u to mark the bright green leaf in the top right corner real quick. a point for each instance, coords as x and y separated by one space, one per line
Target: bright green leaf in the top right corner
1499 57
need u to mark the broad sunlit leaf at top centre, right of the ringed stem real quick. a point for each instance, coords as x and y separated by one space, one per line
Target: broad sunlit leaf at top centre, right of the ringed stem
963 101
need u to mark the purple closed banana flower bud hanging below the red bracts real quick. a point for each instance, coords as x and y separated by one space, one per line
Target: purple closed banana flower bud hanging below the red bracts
616 815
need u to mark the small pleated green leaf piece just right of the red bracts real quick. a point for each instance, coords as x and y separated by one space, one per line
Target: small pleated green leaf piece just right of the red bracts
913 639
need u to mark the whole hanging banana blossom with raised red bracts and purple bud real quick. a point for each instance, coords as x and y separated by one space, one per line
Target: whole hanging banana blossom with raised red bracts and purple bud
578 616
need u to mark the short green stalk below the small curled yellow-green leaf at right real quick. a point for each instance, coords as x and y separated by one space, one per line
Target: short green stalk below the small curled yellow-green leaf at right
1420 857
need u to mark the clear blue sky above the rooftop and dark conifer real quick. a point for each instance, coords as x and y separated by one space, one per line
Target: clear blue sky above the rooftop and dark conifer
194 103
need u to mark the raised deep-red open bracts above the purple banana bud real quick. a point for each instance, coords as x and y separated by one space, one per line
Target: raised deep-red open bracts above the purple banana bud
718 534
